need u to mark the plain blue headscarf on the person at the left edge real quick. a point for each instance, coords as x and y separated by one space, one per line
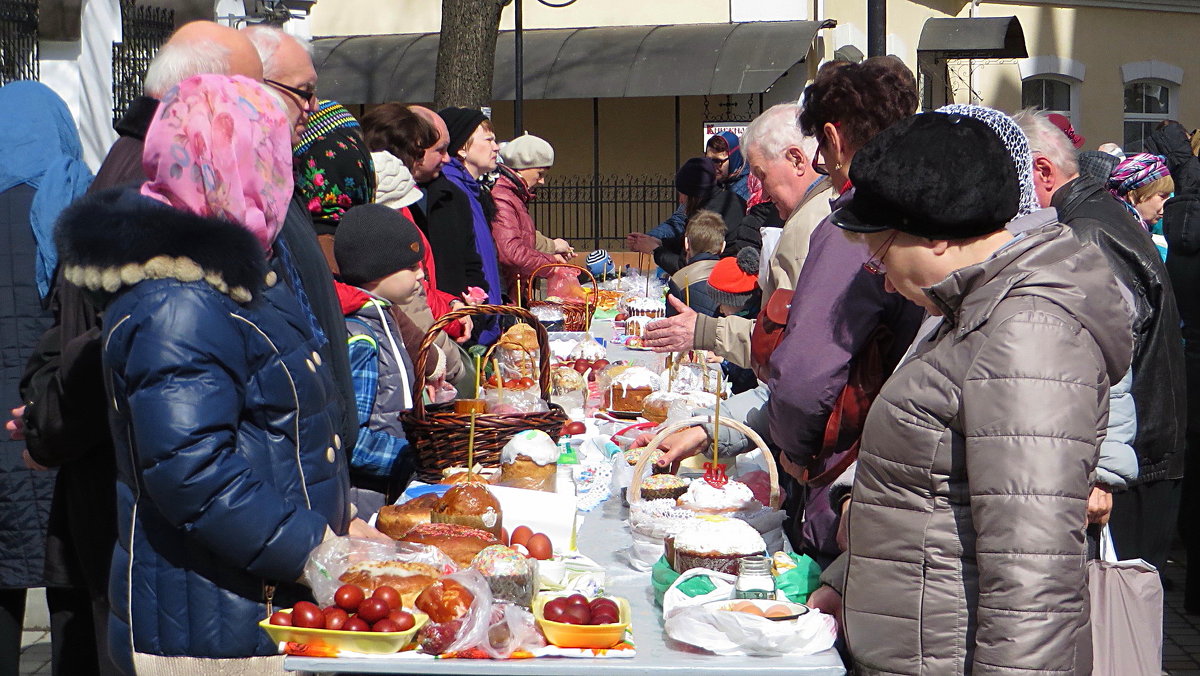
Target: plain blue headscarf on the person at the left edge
41 148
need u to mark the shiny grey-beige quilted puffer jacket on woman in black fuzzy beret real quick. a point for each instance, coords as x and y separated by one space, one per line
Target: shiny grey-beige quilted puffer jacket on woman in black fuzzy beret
967 530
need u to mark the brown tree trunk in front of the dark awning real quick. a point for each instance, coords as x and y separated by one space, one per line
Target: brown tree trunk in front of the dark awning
467 53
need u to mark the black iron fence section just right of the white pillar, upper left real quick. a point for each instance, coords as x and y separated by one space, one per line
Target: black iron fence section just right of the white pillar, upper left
145 29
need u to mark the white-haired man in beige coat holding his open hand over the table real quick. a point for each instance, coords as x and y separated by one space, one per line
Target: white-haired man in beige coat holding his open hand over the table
782 158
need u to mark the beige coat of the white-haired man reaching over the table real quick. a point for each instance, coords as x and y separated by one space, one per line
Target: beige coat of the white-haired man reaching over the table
730 337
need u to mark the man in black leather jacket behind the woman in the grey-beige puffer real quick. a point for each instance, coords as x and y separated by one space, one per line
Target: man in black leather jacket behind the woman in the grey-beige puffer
1143 518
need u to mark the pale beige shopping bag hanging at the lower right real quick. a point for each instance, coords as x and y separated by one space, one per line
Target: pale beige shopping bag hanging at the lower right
1127 614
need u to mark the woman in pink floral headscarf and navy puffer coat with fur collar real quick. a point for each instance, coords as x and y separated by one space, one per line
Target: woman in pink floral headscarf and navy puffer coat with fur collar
230 465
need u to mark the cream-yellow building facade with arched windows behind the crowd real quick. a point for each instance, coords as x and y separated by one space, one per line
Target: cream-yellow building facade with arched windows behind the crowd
1115 68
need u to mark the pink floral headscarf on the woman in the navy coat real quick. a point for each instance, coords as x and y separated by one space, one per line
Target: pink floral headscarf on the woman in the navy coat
221 147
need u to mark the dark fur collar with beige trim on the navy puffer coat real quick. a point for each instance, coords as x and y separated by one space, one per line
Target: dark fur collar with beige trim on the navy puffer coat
119 238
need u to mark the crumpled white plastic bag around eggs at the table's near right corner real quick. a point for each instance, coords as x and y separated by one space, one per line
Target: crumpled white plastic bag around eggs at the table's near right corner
740 633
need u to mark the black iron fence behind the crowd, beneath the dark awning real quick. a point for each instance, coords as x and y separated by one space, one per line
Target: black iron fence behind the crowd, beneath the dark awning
599 213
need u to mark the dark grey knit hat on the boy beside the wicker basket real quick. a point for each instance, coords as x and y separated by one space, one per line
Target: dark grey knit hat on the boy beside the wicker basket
374 242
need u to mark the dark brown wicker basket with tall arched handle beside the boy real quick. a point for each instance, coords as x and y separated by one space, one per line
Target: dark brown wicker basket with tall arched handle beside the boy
440 436
